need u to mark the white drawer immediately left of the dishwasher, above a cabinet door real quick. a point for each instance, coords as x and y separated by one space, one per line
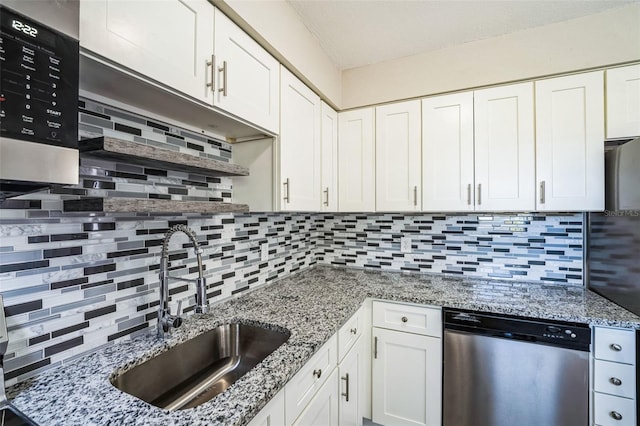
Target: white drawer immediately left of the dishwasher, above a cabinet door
409 318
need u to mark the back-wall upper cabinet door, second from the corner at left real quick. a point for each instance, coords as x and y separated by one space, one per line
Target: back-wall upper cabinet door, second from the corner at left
398 166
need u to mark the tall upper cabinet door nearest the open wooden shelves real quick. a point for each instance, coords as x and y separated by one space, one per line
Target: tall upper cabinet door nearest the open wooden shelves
300 163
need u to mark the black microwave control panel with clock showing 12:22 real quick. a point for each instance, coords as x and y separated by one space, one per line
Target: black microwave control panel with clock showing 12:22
39 82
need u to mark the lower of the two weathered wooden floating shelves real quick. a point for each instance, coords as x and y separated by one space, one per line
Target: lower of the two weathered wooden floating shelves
142 205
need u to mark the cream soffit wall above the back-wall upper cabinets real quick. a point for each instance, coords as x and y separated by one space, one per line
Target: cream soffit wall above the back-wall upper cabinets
607 38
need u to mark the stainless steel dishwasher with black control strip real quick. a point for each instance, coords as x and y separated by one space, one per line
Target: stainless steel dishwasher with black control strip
504 371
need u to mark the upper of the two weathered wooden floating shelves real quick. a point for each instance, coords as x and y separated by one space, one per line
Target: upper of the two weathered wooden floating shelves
149 156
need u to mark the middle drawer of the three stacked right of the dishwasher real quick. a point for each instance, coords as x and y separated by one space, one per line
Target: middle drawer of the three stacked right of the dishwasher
614 378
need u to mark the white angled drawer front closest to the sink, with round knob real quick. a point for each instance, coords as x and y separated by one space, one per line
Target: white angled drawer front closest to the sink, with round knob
304 385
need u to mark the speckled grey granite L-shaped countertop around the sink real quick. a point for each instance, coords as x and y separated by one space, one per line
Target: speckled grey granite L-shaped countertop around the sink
312 305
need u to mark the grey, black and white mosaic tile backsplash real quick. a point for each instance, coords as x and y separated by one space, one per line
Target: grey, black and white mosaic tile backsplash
74 282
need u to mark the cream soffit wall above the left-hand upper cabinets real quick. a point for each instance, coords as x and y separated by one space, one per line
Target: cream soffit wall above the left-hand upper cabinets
276 23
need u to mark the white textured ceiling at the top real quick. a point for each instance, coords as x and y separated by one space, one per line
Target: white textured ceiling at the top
361 32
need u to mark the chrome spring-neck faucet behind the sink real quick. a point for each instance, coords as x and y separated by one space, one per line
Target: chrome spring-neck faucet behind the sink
166 320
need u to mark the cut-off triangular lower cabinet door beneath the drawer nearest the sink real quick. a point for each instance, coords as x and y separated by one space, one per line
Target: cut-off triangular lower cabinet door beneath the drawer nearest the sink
323 408
